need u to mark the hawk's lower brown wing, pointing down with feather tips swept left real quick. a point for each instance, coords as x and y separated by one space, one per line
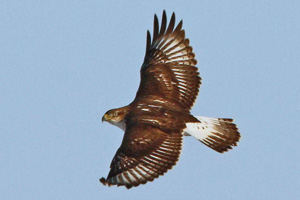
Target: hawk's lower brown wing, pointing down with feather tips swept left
146 152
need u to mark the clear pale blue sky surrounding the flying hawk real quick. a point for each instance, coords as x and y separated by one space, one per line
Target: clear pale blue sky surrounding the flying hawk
64 63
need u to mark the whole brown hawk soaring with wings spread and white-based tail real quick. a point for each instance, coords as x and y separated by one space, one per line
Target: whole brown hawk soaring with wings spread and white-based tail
159 116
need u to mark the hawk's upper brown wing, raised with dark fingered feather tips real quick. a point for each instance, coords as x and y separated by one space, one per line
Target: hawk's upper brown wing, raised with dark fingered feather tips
169 68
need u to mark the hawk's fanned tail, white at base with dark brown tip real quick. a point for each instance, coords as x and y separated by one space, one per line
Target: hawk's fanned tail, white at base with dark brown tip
220 134
